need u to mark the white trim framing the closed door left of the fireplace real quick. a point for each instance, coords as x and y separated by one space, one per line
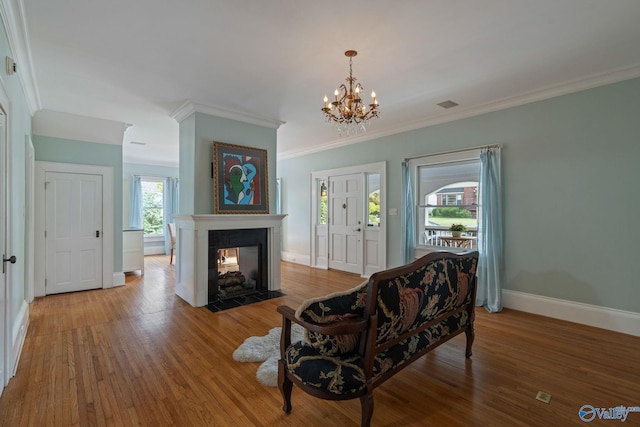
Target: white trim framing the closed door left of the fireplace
107 218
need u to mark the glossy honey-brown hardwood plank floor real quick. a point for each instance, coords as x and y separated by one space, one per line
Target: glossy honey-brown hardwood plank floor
140 355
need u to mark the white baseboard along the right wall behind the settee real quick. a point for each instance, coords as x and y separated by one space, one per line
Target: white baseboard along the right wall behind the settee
626 322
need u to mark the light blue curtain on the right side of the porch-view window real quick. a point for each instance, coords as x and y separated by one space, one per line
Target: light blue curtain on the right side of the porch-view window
490 242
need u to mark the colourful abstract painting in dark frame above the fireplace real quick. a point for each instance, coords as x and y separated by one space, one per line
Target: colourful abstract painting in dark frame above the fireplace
240 179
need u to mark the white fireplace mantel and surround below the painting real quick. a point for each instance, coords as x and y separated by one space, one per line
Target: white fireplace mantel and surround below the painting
192 244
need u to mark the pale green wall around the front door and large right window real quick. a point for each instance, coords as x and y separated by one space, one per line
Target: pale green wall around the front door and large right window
570 167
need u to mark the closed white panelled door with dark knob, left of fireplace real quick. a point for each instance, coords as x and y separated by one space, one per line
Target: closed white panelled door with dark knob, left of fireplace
73 235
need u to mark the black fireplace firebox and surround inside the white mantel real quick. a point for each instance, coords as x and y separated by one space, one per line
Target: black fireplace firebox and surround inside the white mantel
243 274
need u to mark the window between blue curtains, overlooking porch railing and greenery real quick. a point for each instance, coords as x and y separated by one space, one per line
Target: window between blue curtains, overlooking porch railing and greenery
446 193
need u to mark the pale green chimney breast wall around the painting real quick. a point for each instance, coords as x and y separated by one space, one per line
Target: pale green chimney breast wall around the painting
197 134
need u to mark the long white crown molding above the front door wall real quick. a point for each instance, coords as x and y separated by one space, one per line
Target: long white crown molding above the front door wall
565 88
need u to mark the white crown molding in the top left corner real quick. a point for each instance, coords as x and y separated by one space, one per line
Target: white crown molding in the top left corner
13 18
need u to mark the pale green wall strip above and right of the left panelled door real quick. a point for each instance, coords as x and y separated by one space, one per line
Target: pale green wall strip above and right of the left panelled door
60 150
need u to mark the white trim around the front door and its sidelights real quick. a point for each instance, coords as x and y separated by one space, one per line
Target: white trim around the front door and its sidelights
319 258
